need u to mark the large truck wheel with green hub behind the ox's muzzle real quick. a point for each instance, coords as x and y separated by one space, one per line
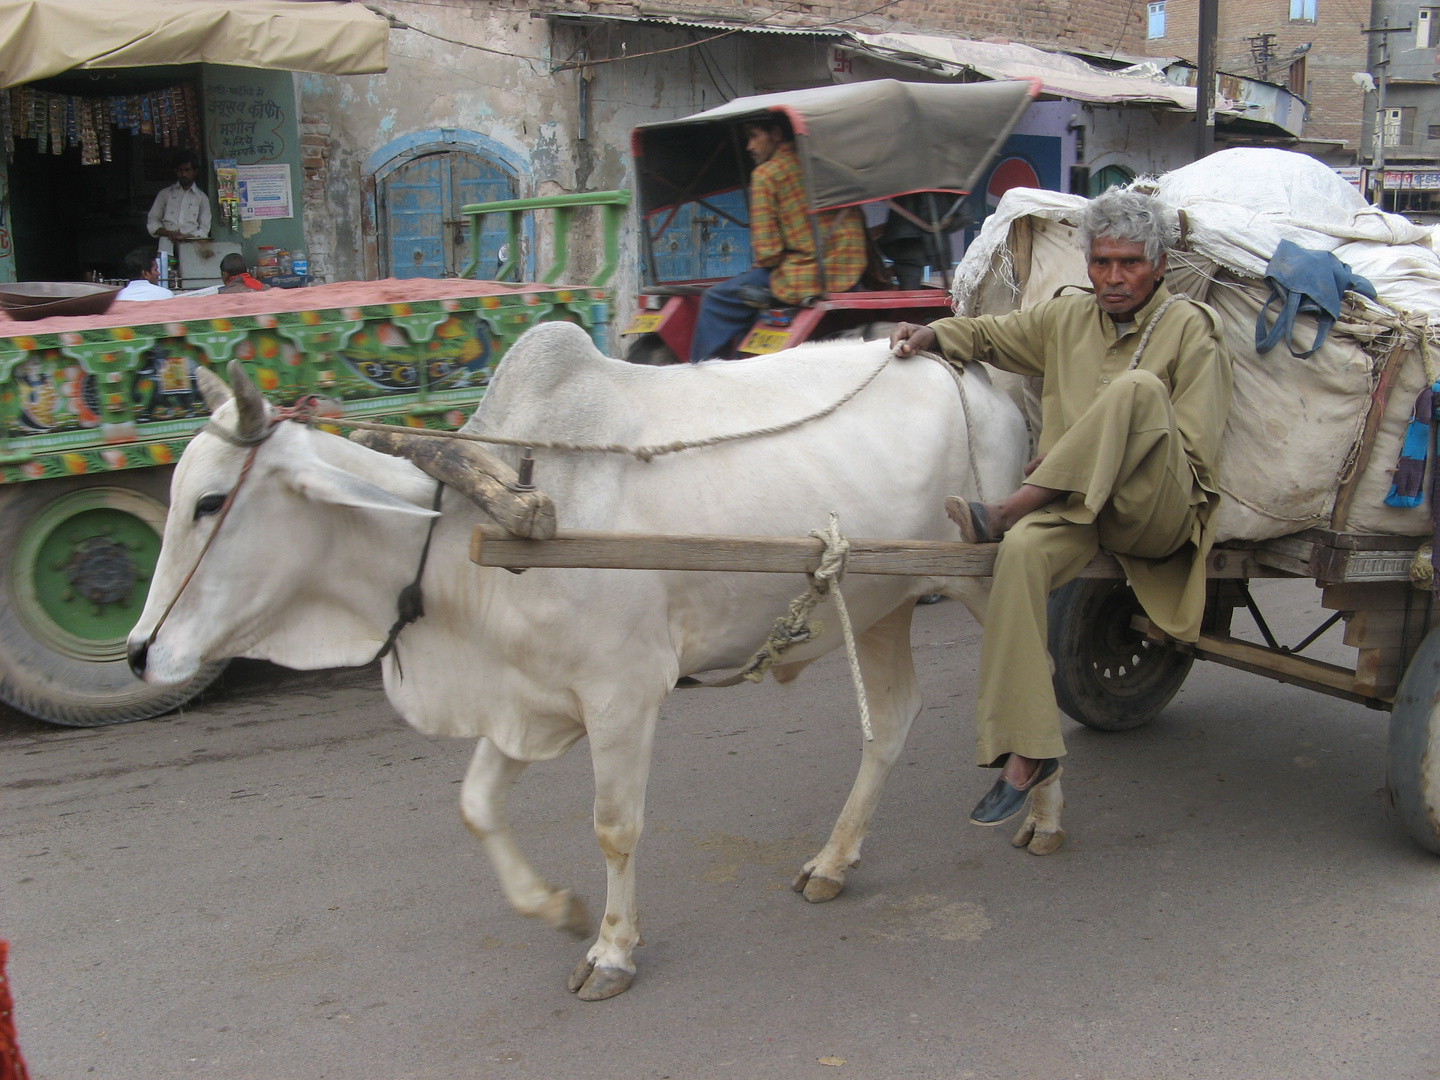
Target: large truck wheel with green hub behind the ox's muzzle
76 564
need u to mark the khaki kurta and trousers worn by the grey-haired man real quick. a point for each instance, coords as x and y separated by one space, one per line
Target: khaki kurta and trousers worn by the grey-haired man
1141 462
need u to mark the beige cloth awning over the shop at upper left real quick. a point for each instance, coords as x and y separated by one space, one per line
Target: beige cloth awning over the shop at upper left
44 38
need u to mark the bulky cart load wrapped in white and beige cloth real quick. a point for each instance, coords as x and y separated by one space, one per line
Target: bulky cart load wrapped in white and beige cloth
1294 424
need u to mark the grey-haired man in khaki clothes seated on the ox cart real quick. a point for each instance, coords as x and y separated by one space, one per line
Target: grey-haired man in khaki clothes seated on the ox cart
1137 390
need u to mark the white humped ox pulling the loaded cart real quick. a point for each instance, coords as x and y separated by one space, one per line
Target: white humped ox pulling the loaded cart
325 535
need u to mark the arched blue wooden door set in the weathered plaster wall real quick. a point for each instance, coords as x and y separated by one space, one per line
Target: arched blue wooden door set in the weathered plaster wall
426 235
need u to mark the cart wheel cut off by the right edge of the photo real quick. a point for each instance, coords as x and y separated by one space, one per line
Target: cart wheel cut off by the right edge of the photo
1413 764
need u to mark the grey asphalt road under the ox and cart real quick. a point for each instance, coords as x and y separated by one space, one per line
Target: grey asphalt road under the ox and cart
277 885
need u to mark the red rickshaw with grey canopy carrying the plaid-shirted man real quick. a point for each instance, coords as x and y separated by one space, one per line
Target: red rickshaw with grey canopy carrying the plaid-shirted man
859 143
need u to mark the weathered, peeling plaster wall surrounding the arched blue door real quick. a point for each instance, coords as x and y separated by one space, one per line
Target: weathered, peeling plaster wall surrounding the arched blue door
521 113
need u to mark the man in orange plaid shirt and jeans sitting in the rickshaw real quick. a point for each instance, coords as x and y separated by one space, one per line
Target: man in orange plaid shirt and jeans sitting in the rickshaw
783 244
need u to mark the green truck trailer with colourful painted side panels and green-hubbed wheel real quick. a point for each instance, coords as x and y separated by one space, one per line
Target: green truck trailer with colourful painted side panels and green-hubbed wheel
96 411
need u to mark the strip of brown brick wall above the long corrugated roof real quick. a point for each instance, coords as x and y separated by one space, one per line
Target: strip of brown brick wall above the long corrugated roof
1099 25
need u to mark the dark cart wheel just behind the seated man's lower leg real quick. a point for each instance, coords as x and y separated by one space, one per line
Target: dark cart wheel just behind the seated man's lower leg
1108 676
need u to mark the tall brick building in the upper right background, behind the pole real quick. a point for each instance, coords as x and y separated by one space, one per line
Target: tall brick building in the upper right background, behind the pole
1337 50
